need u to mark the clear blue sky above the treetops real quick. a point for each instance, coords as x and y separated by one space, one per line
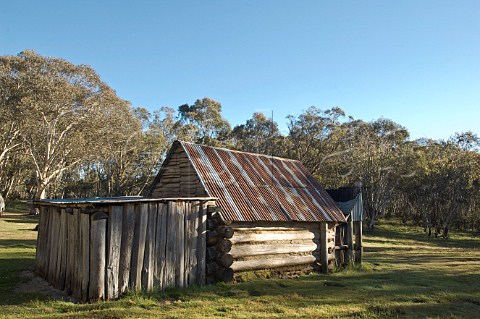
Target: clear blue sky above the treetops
415 62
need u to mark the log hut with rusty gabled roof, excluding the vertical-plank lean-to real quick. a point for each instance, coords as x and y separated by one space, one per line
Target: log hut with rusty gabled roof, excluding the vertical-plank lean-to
273 214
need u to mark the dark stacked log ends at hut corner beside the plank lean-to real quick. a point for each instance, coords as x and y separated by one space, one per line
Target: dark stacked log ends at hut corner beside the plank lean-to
219 245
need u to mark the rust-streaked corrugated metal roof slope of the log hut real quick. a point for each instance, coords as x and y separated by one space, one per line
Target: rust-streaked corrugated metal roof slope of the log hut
254 187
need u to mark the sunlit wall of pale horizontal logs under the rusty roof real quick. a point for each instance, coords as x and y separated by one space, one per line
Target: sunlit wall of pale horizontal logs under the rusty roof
265 245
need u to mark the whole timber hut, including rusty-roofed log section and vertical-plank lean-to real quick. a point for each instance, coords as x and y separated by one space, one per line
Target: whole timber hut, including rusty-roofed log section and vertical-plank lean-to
211 214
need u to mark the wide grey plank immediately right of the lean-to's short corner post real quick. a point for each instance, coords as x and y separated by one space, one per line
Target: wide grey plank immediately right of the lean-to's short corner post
114 239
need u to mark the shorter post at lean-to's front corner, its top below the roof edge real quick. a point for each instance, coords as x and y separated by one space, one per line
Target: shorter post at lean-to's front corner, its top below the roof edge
98 246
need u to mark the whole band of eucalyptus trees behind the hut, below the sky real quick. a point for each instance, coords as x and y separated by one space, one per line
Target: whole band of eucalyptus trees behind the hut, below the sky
65 133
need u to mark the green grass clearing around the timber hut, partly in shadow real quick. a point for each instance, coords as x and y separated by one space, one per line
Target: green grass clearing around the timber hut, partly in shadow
405 275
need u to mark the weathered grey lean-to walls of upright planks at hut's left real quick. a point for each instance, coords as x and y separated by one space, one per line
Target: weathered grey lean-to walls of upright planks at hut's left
100 255
